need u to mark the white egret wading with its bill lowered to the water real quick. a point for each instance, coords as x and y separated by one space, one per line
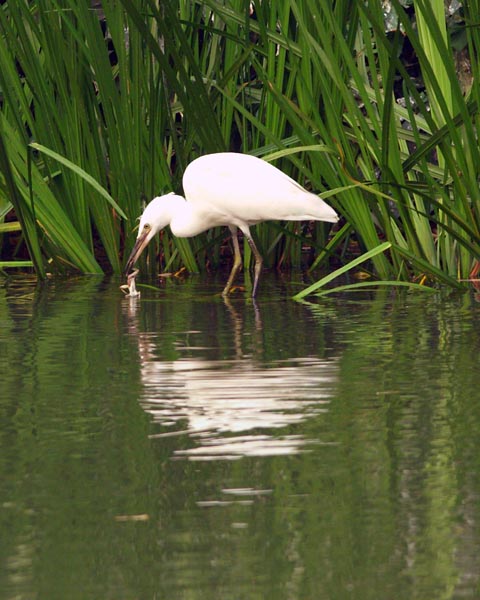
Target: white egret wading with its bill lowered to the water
235 190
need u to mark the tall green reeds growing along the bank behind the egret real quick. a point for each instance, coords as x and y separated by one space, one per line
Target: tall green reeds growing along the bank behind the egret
310 84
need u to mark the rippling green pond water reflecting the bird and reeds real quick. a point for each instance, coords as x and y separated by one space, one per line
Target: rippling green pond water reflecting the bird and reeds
183 448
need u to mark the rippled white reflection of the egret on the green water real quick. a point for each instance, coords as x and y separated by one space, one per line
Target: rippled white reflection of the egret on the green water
237 407
